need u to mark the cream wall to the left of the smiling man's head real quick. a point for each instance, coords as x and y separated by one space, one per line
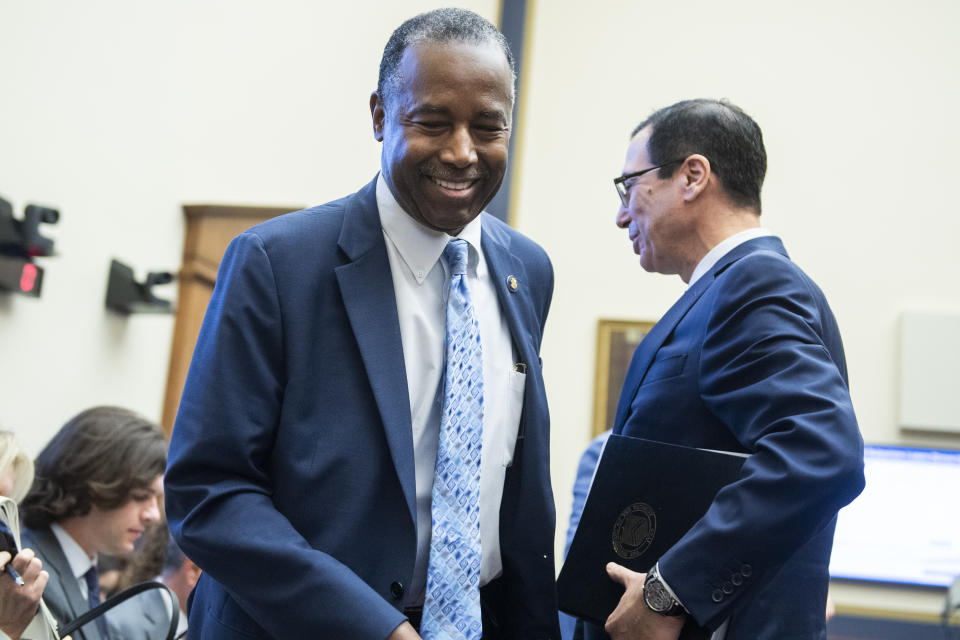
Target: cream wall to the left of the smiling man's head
119 112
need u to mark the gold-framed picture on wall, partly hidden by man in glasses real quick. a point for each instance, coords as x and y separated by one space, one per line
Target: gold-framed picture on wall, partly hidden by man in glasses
616 342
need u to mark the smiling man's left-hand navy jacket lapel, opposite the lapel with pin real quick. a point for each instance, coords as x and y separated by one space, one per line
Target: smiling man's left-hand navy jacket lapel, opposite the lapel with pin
366 286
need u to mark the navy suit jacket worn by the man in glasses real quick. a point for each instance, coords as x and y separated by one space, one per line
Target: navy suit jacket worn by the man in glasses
750 359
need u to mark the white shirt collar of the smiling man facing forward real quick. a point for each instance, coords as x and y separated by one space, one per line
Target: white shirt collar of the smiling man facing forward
418 245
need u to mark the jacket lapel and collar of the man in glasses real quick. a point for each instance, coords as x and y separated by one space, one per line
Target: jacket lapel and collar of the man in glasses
652 342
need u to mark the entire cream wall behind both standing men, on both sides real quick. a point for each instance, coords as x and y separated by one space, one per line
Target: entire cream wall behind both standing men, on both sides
117 113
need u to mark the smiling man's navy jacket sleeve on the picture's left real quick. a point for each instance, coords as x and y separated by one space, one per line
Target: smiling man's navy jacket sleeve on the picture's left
218 483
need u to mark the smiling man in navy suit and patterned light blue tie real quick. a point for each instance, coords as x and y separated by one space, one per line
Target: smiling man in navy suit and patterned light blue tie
302 462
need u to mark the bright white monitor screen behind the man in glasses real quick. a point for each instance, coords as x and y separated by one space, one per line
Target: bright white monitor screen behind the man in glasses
905 526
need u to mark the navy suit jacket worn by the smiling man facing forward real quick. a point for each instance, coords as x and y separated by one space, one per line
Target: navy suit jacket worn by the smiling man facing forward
290 479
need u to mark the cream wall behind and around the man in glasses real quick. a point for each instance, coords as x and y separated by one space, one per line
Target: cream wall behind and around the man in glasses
858 102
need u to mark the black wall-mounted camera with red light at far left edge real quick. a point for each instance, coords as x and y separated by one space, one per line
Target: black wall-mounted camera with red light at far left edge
20 243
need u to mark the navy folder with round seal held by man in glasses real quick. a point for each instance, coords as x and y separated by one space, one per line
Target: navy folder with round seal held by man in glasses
645 496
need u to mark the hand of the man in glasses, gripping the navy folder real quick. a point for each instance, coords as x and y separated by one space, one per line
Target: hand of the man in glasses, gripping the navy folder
633 619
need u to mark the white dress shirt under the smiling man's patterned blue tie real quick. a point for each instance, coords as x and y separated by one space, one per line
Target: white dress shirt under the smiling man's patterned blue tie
421 284
